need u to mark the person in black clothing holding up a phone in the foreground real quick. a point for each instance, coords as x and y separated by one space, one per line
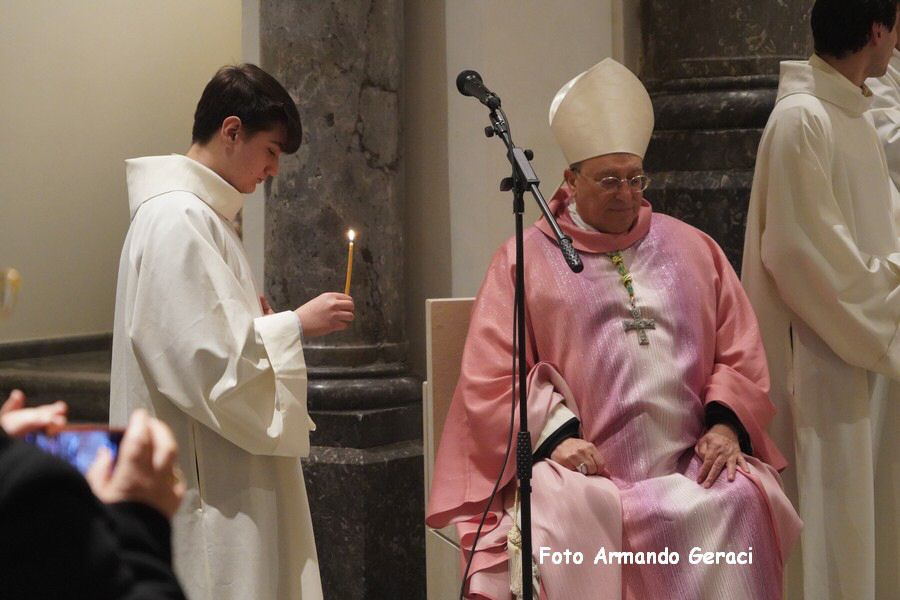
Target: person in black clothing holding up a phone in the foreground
63 537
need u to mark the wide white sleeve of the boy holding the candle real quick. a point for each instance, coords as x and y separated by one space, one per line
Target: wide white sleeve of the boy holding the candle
201 345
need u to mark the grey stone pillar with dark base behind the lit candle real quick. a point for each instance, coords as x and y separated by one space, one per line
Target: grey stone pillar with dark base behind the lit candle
341 63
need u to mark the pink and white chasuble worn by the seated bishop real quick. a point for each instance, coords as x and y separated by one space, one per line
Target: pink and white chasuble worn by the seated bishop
643 407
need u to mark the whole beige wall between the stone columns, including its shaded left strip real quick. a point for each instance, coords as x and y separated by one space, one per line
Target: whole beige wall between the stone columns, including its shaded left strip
525 51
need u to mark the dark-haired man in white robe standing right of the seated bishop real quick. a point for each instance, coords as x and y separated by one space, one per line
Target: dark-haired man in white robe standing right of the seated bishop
822 269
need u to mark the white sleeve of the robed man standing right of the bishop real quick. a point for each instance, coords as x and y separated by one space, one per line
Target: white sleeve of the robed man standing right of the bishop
849 298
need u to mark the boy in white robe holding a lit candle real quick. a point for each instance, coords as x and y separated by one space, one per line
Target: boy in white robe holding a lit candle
196 346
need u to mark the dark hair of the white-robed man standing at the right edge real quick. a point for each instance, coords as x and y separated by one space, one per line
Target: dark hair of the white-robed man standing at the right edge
842 27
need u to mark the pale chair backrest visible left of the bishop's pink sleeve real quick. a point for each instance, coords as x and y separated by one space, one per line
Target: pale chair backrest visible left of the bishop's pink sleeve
446 325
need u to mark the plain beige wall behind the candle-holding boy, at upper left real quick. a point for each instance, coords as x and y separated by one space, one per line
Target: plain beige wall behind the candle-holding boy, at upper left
87 84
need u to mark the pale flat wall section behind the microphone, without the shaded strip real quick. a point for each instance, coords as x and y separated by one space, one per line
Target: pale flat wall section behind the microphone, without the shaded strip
525 51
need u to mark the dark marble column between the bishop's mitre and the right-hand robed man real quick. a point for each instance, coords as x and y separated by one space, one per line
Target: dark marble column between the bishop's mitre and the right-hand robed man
712 71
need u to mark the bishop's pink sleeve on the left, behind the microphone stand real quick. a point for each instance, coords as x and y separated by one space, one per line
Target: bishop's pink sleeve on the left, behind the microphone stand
477 427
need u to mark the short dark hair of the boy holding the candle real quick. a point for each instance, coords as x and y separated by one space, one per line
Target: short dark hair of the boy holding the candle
255 97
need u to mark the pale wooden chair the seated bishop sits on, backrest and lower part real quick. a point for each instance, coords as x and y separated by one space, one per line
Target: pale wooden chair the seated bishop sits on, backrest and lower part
446 325
